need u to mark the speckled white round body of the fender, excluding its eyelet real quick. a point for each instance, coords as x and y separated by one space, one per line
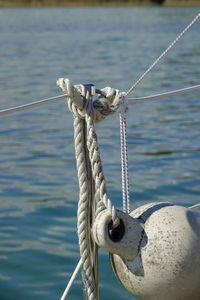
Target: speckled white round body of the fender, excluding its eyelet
167 264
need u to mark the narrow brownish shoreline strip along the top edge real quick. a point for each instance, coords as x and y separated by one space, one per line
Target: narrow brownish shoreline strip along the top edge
82 3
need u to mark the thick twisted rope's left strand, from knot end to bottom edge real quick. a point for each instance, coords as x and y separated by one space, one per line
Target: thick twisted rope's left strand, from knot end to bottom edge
83 214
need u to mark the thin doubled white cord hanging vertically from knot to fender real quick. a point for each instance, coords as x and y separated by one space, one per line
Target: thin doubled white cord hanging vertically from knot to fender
124 155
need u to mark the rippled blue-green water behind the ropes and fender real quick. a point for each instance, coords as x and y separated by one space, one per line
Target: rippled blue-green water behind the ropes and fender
38 184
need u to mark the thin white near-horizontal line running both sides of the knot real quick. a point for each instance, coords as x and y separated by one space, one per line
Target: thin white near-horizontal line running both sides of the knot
12 110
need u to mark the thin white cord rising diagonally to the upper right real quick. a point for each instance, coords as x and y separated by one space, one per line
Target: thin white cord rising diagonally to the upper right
163 54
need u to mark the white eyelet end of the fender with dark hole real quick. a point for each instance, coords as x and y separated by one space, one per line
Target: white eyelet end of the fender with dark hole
124 240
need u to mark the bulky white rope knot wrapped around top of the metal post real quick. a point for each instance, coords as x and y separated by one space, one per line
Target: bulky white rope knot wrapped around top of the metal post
107 103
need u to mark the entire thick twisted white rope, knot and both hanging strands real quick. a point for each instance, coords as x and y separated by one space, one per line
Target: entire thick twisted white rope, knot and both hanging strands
87 112
